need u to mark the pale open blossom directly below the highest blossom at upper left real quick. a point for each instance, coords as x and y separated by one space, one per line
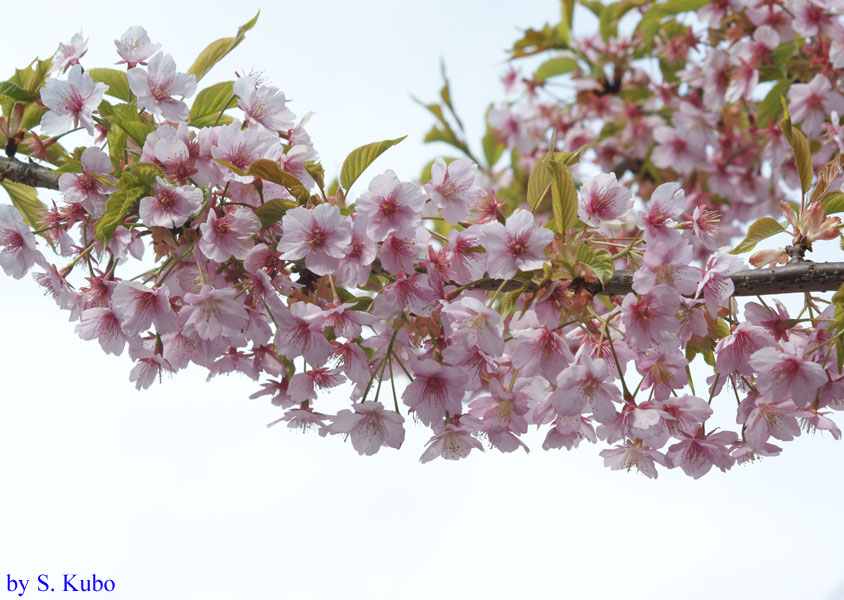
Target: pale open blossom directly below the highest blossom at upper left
157 85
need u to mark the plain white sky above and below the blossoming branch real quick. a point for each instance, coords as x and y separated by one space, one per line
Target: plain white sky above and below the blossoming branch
181 492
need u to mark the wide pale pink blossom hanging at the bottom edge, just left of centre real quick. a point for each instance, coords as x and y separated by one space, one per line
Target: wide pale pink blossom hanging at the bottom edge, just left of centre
369 427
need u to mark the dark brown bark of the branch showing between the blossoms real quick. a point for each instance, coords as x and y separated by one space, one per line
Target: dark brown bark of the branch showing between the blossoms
801 276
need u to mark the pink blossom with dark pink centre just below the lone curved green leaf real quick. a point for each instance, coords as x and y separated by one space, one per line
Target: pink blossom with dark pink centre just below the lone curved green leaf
390 206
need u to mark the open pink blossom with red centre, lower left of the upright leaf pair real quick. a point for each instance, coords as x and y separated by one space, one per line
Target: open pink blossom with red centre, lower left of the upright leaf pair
517 245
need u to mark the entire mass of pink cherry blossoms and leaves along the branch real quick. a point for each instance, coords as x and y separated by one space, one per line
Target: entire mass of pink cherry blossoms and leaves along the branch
479 303
